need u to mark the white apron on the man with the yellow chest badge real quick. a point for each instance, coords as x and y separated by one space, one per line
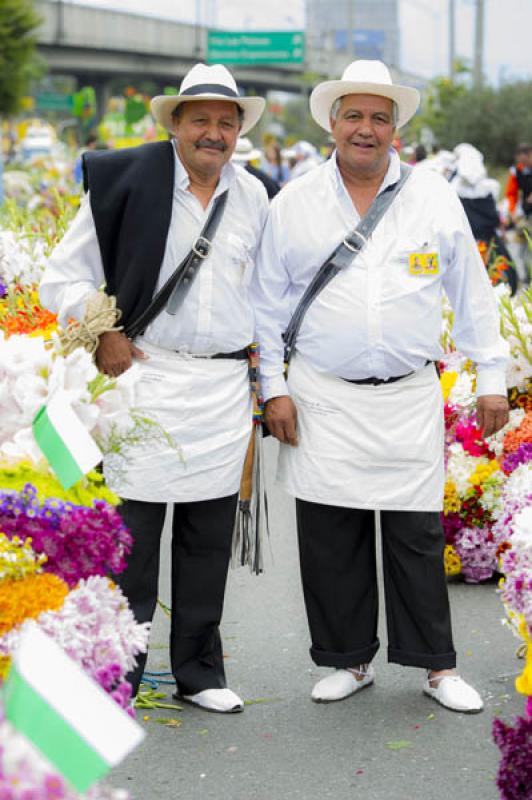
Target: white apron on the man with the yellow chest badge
375 447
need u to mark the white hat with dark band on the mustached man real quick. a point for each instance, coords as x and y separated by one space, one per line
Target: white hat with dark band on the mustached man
207 83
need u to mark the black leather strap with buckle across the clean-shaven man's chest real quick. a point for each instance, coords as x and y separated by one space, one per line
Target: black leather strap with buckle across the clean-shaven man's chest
342 257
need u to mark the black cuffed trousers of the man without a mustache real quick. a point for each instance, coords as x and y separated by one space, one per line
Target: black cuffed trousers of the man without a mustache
338 570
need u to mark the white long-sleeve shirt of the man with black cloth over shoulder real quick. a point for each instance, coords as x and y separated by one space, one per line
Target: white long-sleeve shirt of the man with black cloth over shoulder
216 316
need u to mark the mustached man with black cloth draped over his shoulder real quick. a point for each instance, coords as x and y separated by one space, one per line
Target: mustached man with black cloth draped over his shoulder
142 217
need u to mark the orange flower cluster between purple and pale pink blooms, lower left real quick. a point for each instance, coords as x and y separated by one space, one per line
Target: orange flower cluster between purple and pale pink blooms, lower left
27 598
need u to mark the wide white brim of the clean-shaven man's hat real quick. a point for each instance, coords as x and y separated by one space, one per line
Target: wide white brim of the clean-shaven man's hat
324 95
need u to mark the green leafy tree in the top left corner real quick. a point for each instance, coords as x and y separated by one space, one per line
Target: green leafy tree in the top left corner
19 62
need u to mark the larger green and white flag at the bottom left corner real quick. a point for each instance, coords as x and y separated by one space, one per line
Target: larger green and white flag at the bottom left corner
74 724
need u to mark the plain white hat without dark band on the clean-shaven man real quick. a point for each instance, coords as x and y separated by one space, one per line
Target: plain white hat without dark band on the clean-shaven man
363 77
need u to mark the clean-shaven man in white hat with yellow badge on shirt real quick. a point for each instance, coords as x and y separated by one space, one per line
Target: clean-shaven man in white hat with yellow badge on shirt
360 416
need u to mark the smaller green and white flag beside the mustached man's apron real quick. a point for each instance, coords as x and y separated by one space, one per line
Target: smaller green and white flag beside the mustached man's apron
64 440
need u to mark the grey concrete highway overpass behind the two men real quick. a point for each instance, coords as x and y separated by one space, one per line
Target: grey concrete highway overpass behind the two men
96 45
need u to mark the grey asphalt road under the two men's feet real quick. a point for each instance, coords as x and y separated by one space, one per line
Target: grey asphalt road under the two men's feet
389 742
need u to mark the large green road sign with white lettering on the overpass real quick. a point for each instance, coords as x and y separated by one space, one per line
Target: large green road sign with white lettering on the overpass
255 47
